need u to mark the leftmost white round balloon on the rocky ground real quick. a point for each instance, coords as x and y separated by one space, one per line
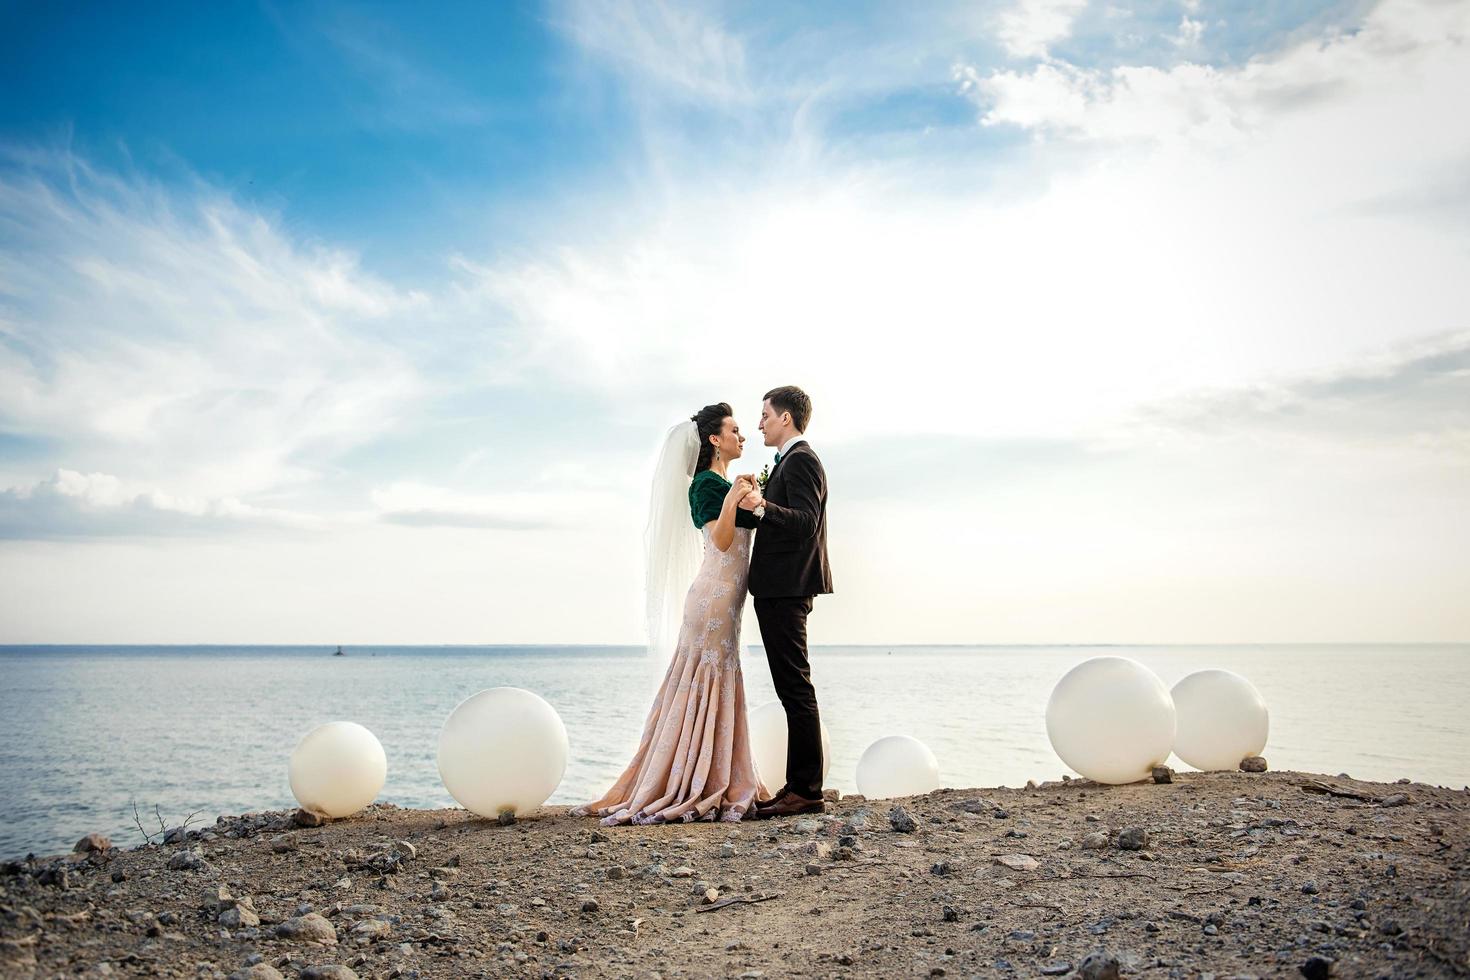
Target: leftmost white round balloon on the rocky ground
337 769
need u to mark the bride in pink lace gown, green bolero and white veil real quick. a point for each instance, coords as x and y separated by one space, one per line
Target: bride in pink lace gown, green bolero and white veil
695 762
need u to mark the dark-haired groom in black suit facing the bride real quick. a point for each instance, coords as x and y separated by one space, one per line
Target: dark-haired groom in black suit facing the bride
787 569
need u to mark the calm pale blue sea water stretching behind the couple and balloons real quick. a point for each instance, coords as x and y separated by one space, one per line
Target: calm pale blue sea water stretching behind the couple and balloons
85 731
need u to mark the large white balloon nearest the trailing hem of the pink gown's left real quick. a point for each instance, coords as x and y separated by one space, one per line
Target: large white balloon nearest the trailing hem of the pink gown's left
502 750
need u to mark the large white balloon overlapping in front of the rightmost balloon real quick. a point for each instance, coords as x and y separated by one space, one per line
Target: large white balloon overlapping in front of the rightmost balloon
1112 721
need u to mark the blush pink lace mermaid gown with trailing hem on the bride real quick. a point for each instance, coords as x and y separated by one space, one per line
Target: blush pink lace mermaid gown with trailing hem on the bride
695 760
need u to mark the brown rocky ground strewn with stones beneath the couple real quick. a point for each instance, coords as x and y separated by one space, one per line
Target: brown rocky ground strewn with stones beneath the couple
1224 873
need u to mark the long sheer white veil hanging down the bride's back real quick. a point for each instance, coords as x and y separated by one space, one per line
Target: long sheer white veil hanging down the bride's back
673 544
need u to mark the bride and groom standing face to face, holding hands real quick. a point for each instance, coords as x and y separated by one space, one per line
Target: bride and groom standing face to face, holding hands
736 538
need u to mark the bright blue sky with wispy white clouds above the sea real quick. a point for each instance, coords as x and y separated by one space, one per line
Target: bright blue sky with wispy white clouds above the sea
362 324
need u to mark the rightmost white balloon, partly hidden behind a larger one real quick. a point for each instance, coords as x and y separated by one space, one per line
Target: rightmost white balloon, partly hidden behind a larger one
1222 719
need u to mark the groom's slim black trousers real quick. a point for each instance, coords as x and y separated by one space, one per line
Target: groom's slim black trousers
784 633
